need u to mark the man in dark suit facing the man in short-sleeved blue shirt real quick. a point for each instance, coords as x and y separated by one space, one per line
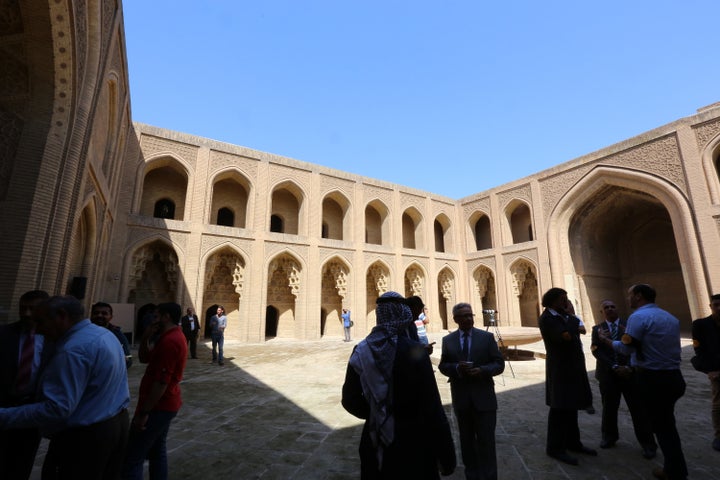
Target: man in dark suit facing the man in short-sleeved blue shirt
615 374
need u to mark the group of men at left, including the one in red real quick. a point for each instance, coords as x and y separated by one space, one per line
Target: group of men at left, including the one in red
64 376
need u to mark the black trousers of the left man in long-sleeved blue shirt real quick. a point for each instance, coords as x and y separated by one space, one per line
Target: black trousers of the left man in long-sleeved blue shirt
93 452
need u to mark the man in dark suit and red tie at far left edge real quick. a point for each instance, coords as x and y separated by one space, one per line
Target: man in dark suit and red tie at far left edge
17 386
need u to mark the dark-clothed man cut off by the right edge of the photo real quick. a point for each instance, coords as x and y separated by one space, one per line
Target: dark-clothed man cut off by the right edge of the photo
706 341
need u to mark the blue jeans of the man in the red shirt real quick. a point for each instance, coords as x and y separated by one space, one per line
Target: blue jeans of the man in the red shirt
151 444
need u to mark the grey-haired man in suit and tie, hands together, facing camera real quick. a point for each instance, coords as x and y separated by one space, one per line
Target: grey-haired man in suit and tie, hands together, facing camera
471 358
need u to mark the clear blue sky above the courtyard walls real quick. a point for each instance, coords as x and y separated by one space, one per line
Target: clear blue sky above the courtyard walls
452 97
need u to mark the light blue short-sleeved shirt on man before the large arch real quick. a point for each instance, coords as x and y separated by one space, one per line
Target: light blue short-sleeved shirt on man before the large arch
659 335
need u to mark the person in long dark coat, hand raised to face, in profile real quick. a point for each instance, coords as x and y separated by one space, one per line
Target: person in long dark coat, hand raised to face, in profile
567 388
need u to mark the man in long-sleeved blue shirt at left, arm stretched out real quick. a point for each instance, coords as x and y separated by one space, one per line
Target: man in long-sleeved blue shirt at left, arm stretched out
83 395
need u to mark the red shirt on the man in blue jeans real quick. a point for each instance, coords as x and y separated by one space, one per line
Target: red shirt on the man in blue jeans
166 365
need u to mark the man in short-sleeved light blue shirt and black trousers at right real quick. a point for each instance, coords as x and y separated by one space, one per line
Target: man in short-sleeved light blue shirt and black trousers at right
654 336
